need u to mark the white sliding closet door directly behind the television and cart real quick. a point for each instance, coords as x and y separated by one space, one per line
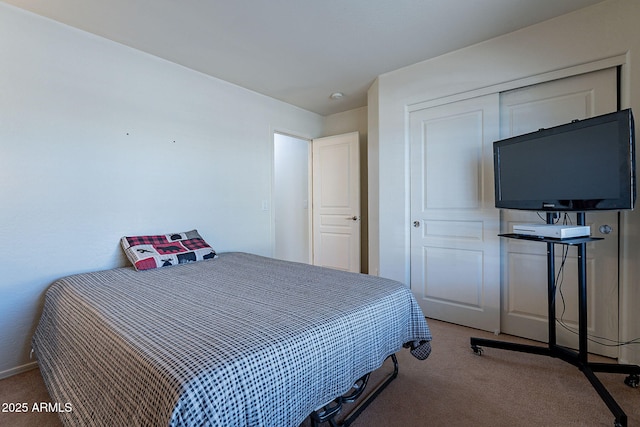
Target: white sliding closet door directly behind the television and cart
524 276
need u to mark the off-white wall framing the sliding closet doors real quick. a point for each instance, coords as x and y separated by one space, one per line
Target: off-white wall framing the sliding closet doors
606 30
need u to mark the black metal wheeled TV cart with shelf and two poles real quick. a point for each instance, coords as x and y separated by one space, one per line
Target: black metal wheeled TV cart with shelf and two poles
577 358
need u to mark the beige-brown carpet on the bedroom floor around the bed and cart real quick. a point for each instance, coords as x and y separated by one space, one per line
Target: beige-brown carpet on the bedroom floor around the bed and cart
453 387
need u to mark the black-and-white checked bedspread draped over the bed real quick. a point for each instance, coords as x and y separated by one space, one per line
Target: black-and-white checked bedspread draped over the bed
238 339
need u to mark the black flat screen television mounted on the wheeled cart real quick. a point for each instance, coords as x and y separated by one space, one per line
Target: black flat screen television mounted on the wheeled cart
584 165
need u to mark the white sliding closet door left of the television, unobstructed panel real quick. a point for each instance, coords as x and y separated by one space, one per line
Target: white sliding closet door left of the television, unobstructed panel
455 248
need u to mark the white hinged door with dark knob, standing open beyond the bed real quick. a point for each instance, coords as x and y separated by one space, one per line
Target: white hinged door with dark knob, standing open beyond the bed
336 202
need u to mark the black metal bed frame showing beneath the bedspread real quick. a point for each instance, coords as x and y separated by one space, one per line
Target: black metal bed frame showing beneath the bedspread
331 410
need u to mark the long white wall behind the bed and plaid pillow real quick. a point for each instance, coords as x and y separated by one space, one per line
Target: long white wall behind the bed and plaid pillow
98 141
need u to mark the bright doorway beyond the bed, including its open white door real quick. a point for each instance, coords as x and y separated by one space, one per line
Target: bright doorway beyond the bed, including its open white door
316 200
